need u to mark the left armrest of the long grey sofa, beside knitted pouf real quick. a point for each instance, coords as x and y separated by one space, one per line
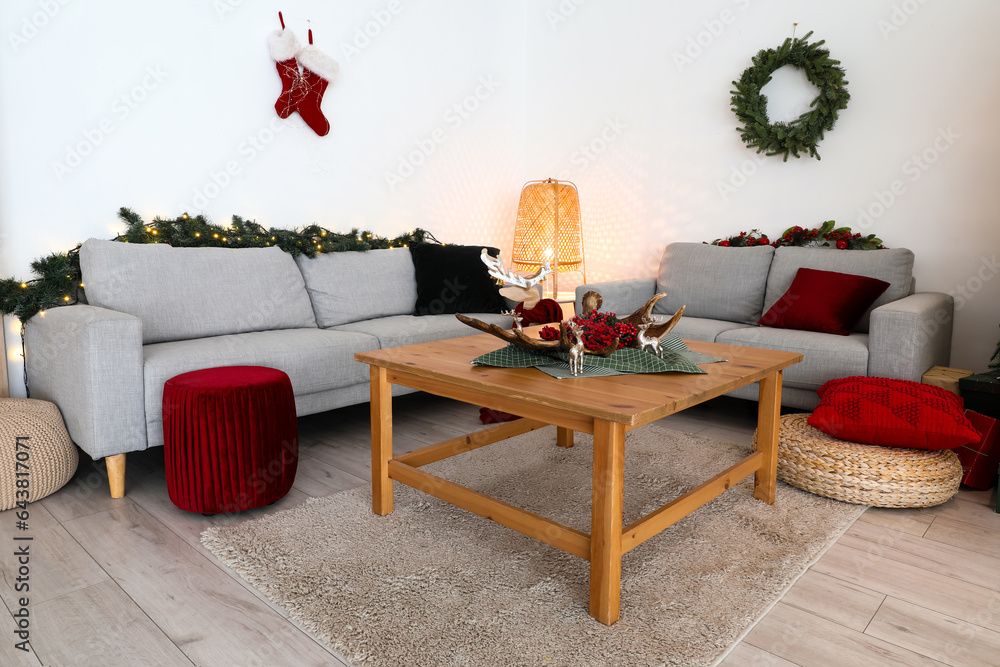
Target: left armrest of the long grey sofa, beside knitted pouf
88 361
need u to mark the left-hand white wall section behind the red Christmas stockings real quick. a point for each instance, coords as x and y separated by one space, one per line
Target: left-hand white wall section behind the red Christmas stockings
432 90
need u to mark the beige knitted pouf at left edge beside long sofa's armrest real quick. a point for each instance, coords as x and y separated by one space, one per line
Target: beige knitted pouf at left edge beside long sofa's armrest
33 440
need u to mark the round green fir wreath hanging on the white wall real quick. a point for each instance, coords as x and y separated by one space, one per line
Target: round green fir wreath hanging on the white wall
805 132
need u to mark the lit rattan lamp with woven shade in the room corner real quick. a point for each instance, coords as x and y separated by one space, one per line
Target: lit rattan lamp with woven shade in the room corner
549 229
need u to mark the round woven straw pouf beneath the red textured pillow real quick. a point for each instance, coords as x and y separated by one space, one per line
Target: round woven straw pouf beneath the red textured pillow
864 474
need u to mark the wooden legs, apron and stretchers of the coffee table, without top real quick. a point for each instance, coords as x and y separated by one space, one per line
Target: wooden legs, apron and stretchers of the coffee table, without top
604 547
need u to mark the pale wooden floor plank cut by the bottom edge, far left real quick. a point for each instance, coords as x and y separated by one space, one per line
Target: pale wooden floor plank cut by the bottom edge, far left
101 625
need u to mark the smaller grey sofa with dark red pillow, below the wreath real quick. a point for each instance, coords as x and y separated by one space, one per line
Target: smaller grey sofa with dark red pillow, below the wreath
727 290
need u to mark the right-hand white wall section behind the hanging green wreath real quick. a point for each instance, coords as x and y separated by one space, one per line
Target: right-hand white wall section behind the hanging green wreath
631 100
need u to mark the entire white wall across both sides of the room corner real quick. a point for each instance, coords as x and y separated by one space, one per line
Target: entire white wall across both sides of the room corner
660 136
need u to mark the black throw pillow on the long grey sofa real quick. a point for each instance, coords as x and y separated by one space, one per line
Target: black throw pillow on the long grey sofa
453 279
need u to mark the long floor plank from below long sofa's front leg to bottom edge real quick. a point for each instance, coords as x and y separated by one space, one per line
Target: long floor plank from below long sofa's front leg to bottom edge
195 604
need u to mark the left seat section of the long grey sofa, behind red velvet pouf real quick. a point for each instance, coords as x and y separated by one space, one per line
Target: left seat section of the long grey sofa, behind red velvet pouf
315 360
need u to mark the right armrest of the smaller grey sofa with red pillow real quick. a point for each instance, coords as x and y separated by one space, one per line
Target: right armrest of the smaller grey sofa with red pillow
908 336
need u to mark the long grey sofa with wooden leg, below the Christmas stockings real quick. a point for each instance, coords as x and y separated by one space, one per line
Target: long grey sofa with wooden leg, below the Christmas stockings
154 311
